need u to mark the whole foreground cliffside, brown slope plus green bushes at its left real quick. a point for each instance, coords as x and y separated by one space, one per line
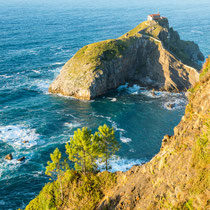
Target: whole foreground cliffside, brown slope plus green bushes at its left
176 178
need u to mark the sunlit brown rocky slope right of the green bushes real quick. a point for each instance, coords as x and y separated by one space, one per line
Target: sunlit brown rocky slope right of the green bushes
178 176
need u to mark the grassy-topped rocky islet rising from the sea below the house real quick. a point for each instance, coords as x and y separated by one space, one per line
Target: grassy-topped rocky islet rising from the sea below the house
147 55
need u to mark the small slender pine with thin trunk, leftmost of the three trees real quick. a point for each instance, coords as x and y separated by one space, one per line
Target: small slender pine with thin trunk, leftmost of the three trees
56 168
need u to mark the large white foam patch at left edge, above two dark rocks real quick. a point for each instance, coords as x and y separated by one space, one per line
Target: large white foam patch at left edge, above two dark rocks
16 135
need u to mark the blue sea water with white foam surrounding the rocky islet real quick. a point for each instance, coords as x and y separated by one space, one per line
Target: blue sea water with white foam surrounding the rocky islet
36 39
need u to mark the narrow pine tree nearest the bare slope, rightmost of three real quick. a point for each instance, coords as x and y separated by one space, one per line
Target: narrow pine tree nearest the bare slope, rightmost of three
107 143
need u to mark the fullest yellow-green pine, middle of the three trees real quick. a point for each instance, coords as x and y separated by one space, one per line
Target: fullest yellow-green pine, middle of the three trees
83 150
